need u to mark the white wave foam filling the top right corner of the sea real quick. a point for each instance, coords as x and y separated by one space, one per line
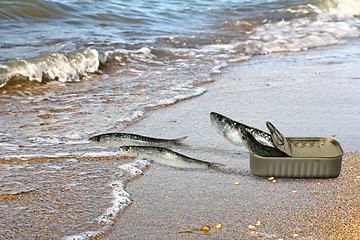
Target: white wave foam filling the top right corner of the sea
331 23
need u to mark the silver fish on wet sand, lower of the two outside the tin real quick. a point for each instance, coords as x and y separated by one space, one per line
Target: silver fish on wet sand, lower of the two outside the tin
168 157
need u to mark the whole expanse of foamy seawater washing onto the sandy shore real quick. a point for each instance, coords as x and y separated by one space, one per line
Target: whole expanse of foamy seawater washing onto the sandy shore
73 69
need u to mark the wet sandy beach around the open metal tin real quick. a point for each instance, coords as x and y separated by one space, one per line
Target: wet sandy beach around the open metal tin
313 93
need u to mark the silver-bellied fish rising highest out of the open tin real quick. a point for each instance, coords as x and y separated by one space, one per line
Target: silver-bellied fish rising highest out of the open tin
231 130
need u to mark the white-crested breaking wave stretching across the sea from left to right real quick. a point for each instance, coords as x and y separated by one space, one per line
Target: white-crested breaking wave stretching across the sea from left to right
302 27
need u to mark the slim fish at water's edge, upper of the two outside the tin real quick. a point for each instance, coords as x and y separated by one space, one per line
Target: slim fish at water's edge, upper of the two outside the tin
116 140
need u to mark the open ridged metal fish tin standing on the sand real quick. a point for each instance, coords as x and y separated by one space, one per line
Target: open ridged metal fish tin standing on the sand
321 164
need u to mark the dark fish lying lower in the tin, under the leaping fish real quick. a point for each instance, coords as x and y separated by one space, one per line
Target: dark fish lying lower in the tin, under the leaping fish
255 147
